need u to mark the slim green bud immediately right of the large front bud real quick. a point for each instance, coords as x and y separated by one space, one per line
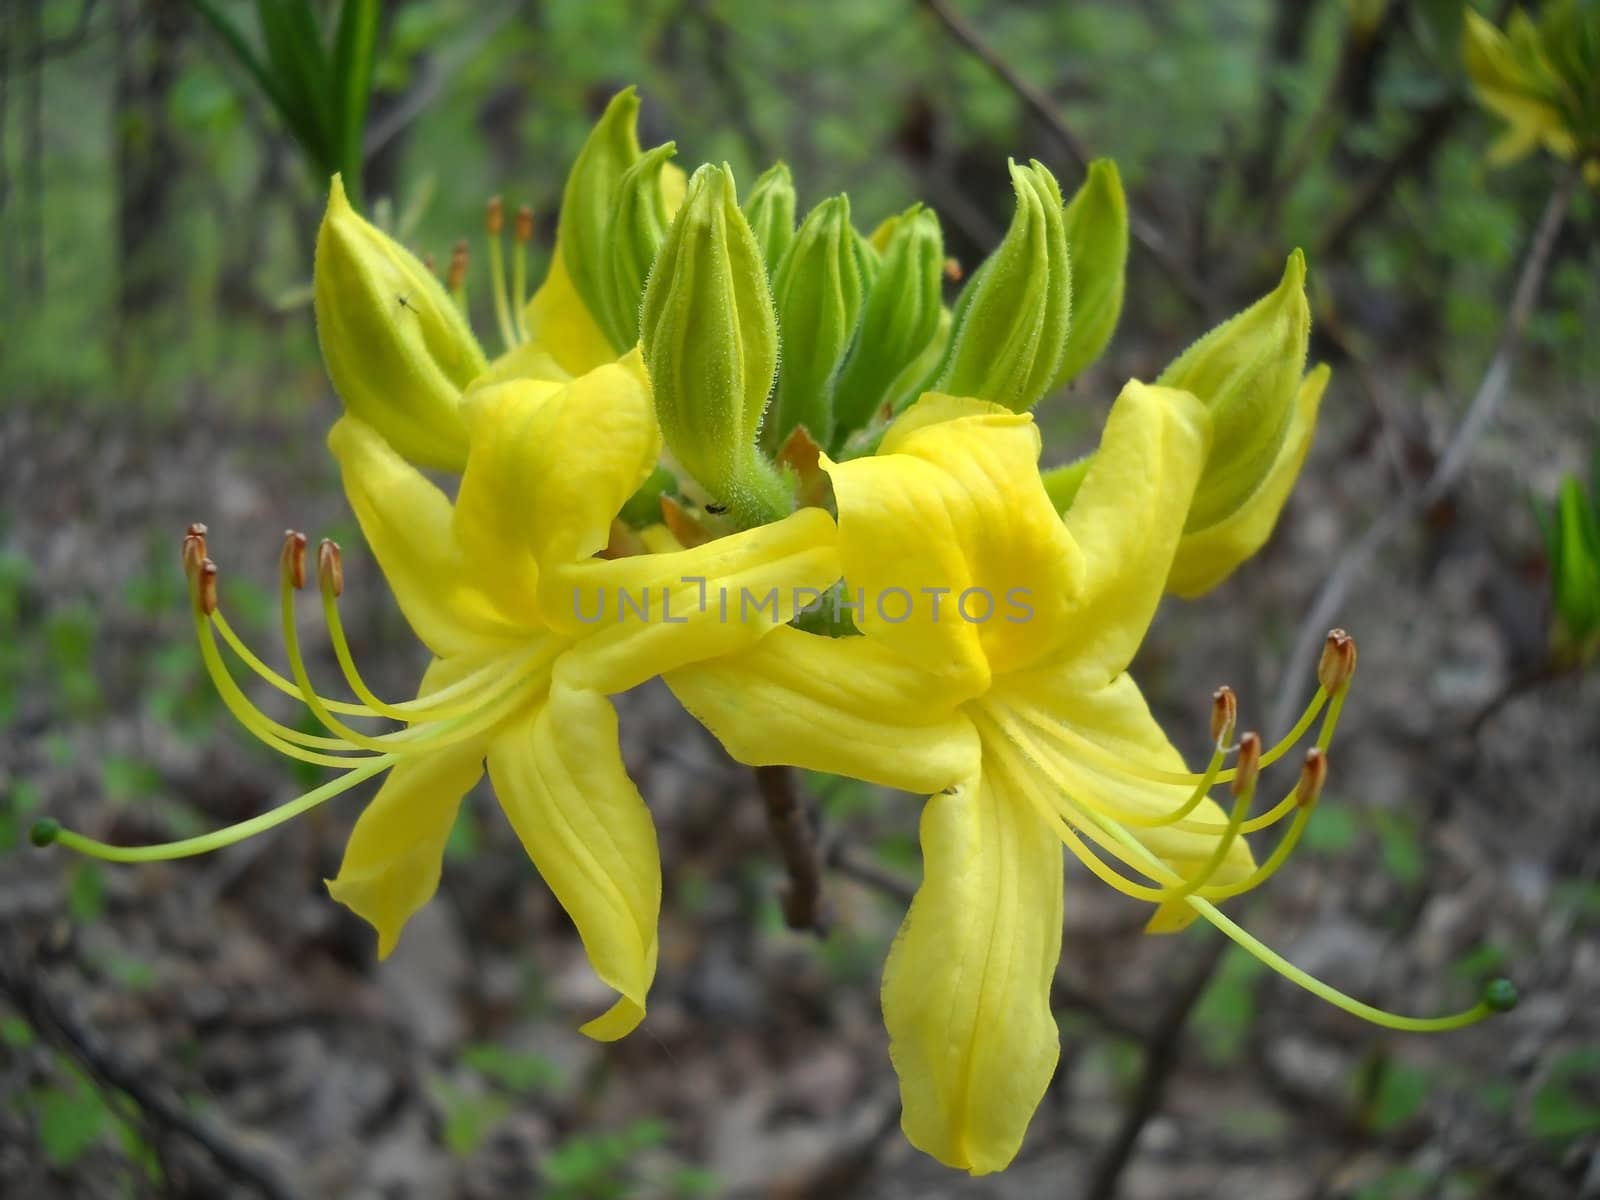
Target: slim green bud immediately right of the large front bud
818 290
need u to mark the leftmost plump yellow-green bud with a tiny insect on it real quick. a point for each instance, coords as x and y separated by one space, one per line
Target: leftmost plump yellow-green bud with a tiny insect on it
396 346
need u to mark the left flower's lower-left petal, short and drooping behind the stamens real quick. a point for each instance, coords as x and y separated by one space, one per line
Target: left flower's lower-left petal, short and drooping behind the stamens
393 860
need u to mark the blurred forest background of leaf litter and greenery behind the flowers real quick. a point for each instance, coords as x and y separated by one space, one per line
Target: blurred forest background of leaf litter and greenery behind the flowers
220 1026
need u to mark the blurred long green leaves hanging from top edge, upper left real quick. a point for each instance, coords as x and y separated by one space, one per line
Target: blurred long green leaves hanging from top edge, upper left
321 87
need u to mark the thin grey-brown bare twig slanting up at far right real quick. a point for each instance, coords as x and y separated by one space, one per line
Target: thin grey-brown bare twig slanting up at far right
1350 567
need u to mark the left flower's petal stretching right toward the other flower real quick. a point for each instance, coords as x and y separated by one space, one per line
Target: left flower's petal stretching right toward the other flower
641 617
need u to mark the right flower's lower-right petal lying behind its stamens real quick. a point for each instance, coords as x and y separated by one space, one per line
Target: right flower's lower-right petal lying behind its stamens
1118 724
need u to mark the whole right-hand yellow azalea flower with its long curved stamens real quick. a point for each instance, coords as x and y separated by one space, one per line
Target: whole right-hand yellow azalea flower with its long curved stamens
993 678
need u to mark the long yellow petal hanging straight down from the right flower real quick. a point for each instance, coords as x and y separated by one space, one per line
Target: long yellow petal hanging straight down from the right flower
967 983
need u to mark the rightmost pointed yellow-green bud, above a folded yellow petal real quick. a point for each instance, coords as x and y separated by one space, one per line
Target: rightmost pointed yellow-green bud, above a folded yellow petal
1247 372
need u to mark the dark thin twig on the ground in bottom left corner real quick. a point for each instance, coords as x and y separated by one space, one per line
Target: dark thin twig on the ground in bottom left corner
244 1166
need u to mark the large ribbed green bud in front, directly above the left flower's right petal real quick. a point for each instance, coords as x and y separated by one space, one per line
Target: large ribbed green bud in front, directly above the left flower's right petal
710 337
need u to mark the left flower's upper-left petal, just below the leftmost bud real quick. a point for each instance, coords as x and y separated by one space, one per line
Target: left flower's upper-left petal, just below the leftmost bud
407 524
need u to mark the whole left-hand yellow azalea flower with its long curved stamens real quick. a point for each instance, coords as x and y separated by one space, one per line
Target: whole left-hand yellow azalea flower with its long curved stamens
530 633
